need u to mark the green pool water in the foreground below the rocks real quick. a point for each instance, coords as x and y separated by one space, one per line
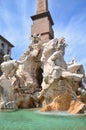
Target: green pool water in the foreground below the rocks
34 120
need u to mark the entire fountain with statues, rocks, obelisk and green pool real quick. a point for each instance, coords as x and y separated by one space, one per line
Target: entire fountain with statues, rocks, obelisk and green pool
42 80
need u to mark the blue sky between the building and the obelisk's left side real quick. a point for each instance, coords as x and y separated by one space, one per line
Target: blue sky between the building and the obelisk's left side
16 27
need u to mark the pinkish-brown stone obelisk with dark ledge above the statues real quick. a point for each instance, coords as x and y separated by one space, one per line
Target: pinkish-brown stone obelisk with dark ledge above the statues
42 21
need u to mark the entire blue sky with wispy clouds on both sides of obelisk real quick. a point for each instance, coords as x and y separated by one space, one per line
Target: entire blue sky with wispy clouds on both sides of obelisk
69 18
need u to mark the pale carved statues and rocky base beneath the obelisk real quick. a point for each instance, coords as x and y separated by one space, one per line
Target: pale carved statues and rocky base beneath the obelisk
42 78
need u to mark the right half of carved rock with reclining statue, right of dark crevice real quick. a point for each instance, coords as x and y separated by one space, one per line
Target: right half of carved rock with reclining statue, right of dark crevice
58 78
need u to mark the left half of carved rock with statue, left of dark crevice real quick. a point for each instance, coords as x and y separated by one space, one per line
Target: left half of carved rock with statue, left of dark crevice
22 78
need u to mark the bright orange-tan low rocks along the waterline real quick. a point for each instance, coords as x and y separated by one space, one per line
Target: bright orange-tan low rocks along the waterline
74 108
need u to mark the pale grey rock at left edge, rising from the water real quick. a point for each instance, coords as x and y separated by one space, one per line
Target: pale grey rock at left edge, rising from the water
7 95
